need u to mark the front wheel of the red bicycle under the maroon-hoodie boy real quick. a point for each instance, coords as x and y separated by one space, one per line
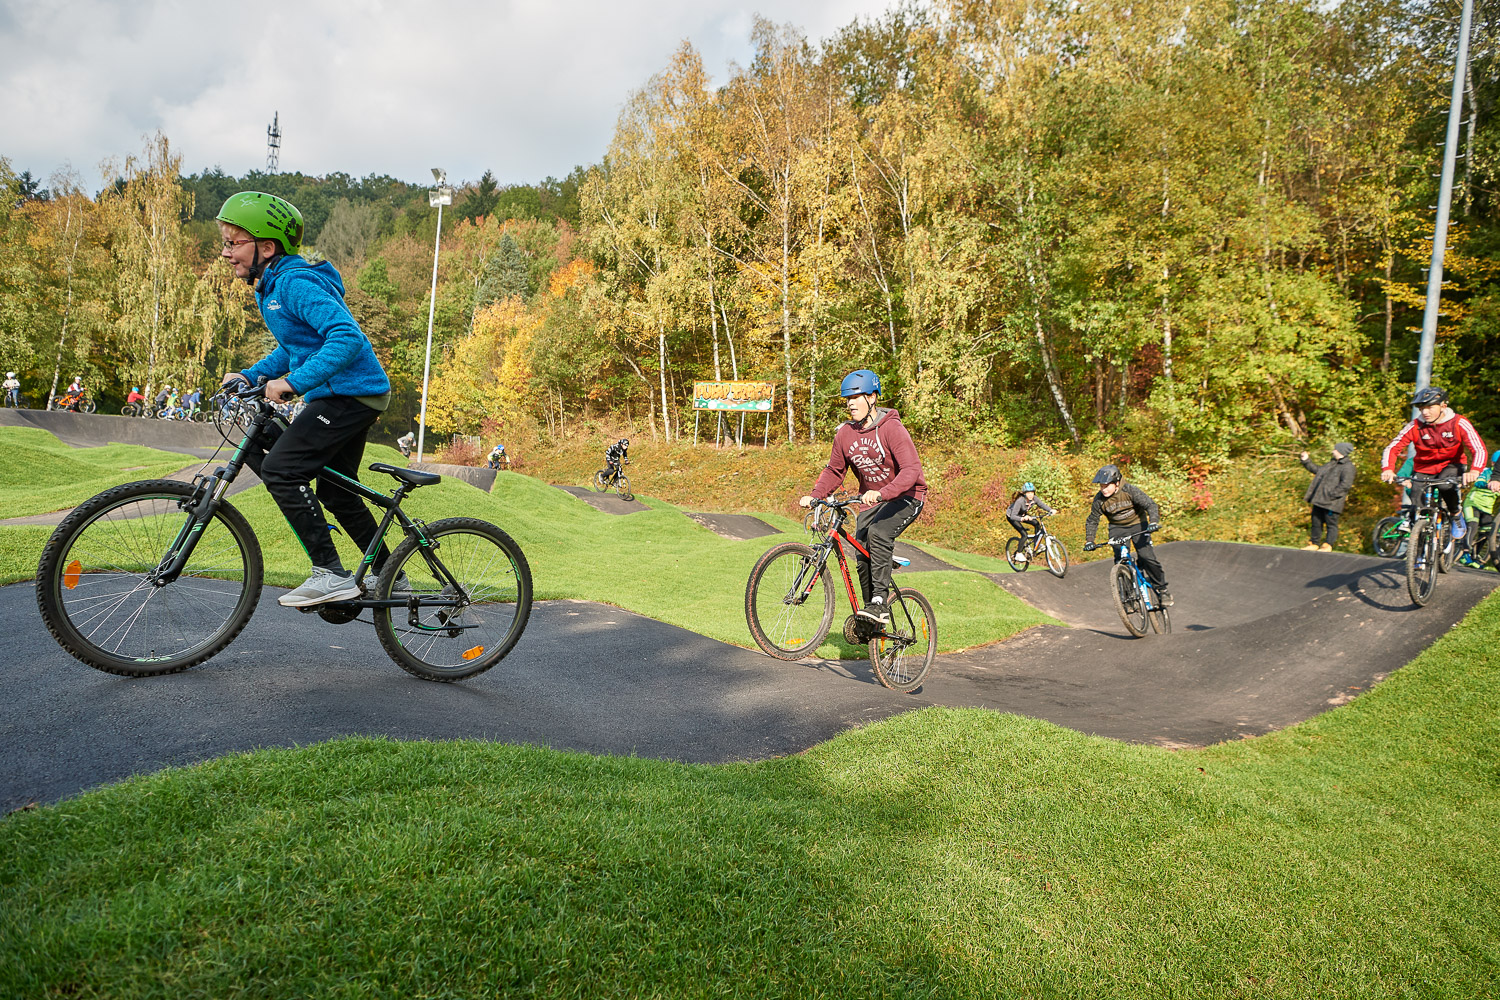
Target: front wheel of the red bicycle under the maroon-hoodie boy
790 602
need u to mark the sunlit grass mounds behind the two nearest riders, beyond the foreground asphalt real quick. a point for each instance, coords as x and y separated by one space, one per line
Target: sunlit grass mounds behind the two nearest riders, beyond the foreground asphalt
658 563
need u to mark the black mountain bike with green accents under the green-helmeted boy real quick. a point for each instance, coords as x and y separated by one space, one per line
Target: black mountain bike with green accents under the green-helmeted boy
158 576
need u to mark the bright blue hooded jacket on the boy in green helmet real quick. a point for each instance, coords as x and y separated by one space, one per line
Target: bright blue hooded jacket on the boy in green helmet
322 349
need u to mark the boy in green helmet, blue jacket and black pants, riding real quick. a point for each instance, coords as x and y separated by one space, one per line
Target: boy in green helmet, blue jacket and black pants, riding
325 358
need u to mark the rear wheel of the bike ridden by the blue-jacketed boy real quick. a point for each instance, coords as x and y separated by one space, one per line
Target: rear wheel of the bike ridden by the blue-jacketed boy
469 600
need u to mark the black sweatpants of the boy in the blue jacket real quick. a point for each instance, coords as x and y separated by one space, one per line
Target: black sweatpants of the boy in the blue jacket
328 433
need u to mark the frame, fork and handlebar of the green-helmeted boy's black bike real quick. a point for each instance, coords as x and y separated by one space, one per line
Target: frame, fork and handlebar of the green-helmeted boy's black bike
212 488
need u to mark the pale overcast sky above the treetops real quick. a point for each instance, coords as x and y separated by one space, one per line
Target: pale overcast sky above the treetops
524 88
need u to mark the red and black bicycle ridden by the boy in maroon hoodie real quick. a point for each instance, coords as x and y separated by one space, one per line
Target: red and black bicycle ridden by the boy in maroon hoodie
790 605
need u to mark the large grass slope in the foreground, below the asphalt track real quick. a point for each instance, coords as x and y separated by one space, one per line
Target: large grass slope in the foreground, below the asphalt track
938 854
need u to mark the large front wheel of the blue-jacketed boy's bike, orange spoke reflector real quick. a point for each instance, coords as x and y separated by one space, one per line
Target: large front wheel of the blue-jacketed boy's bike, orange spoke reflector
97 590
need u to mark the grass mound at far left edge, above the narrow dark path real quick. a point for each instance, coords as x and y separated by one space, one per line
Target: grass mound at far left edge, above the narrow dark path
41 475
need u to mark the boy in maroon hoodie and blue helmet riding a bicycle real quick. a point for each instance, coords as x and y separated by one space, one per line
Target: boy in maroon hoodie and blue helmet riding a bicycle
890 476
